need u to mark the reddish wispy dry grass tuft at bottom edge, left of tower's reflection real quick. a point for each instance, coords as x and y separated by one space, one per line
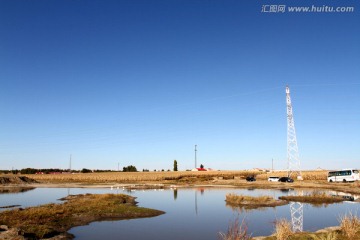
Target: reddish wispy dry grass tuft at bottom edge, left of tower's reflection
236 231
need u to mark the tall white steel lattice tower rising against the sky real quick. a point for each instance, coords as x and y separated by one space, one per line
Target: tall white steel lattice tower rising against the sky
292 148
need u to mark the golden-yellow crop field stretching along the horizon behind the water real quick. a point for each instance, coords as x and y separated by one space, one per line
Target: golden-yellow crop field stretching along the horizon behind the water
128 177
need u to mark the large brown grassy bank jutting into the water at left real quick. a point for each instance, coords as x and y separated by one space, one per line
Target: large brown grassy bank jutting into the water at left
52 219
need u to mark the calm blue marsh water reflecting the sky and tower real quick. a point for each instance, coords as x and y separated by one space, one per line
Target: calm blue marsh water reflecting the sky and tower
191 213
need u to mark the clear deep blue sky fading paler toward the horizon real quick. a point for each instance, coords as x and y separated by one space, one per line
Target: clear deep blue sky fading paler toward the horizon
142 81
